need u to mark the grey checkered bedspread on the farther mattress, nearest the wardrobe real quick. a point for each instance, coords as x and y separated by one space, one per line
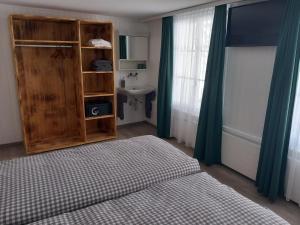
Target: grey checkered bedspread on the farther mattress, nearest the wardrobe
46 185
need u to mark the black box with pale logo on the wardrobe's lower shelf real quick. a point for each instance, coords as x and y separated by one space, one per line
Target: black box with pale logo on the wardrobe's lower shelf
98 108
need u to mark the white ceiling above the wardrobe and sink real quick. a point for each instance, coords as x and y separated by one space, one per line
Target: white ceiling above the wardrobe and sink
136 9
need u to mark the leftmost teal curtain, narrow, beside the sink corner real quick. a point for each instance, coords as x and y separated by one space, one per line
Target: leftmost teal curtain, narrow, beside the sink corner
165 80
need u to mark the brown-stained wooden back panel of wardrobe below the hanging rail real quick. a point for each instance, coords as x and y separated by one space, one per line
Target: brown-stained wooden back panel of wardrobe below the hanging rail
50 98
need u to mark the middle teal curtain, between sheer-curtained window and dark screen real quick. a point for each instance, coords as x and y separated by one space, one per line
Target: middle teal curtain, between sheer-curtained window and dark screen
209 133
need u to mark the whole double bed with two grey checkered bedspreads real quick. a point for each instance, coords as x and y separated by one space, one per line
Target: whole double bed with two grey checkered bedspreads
142 180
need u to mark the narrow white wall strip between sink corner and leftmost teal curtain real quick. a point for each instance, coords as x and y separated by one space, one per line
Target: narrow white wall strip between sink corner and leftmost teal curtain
154 58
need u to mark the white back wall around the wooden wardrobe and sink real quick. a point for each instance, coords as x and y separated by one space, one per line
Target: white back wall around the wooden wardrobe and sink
10 126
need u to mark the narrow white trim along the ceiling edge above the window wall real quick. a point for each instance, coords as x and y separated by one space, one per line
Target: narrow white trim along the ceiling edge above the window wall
201 6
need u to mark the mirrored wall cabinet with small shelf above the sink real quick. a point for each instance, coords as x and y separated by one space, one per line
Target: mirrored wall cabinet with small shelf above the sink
133 52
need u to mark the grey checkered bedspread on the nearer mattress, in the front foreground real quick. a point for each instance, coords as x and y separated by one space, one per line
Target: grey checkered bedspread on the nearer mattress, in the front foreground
195 199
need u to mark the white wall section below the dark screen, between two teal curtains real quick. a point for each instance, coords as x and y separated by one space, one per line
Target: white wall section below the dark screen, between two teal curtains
248 74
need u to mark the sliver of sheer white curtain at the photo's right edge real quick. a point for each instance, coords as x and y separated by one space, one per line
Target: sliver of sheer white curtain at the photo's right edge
292 191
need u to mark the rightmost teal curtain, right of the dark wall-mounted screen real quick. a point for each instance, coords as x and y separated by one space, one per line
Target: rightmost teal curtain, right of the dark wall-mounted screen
276 134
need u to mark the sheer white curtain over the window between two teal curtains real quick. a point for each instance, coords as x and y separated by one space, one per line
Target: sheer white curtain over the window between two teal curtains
192 32
